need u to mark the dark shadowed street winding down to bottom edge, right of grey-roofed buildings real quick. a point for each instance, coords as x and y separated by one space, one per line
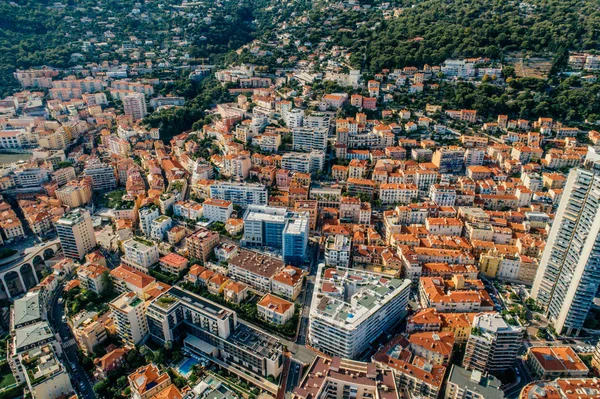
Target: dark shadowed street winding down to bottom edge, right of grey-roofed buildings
79 378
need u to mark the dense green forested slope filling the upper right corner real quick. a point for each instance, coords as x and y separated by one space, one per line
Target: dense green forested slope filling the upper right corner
433 30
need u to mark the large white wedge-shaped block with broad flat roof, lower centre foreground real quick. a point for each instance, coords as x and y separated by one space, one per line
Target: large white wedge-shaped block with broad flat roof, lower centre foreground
354 309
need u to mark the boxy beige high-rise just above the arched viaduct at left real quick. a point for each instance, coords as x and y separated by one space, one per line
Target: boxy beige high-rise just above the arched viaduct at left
76 233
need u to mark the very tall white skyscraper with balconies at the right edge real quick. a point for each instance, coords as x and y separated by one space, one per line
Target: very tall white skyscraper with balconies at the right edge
569 272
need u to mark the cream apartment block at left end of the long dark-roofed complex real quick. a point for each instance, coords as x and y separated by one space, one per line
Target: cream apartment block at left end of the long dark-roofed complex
129 314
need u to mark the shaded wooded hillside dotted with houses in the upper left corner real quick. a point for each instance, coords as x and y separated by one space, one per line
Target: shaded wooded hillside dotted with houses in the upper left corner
34 33
